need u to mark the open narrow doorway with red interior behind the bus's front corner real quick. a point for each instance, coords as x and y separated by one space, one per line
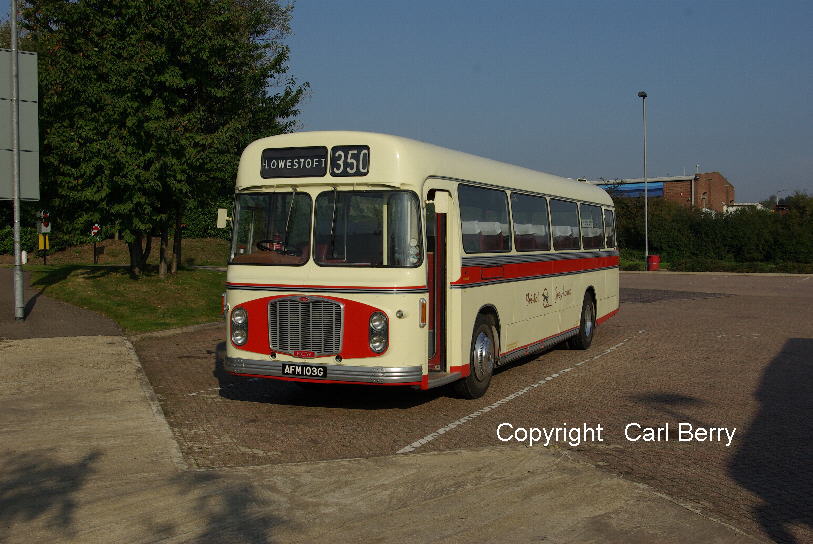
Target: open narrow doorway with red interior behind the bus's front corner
436 211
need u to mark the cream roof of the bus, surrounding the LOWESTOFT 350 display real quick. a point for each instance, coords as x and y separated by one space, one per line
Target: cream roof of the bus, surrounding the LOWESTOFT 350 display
406 163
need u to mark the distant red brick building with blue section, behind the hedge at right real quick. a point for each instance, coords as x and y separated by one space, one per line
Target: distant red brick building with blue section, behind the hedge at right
710 190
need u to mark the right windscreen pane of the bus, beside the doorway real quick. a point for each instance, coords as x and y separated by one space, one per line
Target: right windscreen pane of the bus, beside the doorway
368 228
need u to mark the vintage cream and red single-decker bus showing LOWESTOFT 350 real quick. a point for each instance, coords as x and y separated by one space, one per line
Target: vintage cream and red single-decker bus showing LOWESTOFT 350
363 258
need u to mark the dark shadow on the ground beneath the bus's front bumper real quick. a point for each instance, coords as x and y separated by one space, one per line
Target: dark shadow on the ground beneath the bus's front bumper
364 397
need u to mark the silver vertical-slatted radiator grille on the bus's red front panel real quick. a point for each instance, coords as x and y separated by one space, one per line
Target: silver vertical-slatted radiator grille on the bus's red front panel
305 324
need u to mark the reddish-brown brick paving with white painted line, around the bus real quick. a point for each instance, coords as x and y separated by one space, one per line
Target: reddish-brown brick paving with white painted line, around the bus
706 350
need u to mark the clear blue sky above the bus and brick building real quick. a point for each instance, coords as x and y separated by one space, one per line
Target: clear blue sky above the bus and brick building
553 85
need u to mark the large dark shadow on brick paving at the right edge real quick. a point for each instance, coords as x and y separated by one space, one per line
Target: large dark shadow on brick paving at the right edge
774 457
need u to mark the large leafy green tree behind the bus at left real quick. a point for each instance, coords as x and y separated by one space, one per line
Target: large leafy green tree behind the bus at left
145 106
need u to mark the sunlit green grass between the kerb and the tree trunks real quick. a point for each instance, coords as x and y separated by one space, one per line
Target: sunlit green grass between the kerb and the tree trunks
137 305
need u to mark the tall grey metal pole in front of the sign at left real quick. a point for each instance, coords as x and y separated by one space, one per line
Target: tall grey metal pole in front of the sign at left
19 307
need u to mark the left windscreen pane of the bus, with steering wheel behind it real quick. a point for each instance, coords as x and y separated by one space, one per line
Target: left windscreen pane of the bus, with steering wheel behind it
272 229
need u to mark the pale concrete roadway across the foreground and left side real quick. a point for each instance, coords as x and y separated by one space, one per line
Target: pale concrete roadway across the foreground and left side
86 456
